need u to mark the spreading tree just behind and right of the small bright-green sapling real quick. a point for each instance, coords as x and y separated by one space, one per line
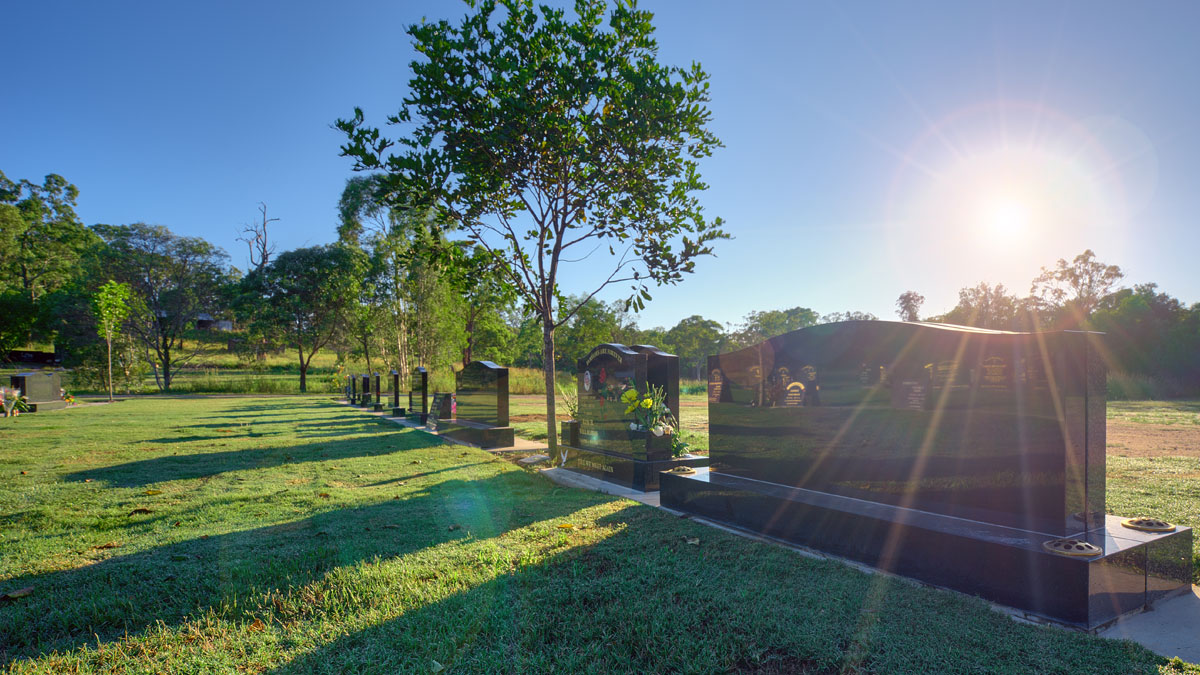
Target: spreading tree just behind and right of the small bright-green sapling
173 279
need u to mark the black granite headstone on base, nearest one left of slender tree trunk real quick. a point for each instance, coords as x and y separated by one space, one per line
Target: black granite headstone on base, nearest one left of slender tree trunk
482 414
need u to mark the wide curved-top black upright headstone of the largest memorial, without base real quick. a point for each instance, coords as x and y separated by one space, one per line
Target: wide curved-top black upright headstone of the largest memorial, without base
1000 427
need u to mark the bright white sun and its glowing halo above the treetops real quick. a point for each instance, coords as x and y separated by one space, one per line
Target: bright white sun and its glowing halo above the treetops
1001 188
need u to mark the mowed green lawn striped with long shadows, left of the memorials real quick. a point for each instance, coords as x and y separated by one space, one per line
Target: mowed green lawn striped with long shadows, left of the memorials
302 536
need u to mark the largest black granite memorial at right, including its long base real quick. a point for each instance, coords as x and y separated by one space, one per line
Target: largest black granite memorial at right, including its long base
949 455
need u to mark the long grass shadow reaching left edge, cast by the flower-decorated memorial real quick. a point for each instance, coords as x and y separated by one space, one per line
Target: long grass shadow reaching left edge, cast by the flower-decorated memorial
231 574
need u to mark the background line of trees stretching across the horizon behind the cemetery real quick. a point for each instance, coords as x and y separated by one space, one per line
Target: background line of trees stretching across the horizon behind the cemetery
394 292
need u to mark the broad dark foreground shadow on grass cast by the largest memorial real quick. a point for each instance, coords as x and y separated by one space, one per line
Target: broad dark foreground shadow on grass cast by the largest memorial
647 600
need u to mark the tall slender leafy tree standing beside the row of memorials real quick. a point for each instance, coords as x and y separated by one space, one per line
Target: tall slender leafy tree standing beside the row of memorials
548 140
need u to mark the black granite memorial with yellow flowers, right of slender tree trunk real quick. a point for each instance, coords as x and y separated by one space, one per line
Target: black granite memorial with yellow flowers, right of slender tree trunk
610 445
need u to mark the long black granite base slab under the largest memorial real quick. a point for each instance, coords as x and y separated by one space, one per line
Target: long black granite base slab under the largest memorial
999 564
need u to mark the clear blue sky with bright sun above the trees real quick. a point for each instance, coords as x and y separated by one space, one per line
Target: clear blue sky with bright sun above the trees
871 148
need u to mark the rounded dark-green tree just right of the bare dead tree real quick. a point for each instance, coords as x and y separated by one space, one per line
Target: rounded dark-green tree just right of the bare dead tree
303 298
